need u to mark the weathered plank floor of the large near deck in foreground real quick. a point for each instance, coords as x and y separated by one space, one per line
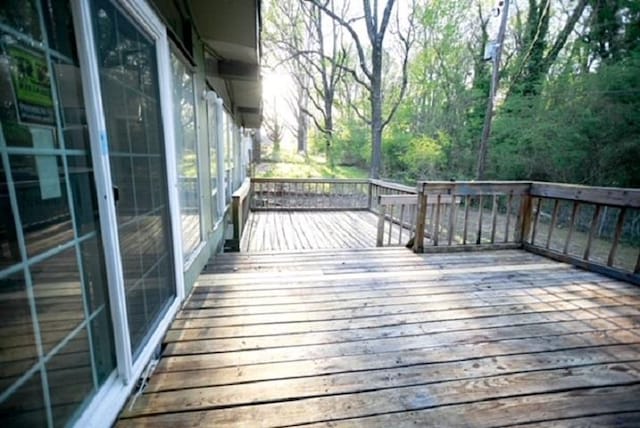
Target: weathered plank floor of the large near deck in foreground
386 337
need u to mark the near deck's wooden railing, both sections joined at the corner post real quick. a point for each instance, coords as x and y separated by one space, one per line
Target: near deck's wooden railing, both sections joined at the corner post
594 228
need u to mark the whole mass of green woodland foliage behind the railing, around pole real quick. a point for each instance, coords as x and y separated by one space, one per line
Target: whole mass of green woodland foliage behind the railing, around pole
568 105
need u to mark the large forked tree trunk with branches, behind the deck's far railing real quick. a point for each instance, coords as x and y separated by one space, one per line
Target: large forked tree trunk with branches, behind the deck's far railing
370 60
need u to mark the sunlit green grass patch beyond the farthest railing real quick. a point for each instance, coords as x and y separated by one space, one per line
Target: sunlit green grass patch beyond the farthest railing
293 165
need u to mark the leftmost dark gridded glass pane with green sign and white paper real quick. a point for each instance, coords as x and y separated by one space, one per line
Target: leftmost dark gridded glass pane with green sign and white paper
55 319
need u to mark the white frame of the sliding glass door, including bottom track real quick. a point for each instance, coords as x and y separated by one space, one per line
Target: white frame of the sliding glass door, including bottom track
106 404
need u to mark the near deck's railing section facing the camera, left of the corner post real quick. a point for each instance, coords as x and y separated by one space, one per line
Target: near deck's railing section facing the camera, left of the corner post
470 215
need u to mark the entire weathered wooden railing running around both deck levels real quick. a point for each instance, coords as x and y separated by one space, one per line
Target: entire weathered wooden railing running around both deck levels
591 227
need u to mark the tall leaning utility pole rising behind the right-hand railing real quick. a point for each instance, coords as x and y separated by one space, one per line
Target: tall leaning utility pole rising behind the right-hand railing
495 79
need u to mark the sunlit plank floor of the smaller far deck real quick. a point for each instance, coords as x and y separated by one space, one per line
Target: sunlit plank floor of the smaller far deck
305 230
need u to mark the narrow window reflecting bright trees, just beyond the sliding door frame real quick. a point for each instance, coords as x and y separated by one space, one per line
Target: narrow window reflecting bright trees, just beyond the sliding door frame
186 155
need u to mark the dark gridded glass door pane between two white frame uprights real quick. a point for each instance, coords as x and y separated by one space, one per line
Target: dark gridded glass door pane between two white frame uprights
131 101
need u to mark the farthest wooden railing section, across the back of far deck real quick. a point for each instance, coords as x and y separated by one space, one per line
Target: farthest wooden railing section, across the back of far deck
309 194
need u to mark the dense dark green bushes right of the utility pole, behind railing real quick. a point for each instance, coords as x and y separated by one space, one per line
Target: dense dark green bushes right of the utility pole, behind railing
583 129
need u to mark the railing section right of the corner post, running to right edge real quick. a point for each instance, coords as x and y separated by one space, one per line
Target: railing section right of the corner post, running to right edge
595 228
